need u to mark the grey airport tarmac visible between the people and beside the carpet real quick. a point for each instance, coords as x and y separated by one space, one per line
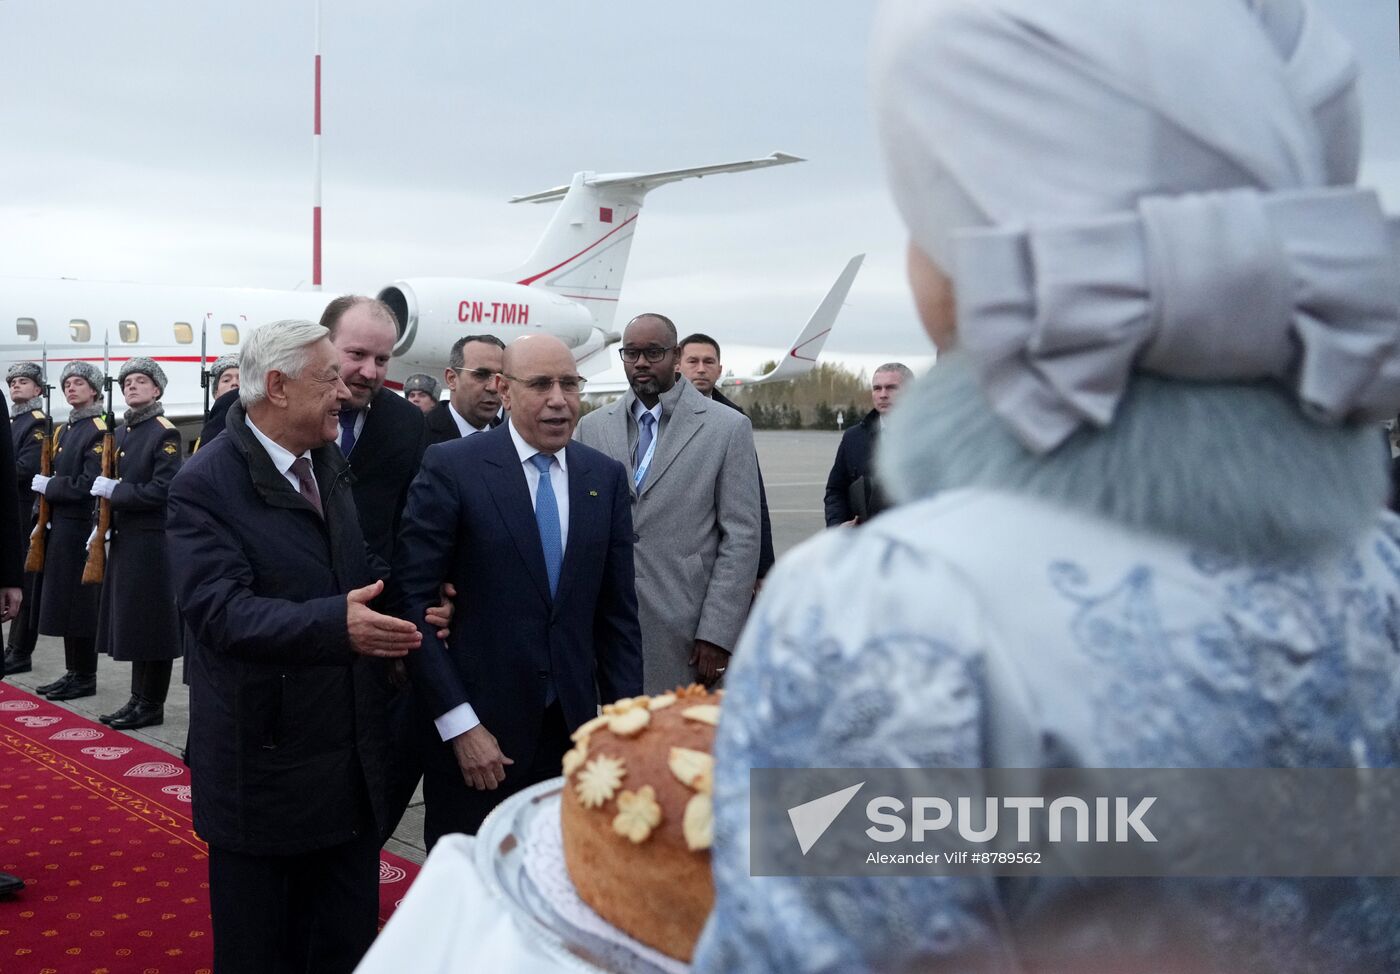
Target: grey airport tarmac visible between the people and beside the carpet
794 472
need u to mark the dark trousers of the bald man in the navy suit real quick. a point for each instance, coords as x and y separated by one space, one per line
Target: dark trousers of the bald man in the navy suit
450 805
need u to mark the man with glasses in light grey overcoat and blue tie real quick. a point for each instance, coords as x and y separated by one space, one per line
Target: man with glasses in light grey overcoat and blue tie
695 510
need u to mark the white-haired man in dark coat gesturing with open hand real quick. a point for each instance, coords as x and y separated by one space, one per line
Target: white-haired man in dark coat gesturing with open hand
288 738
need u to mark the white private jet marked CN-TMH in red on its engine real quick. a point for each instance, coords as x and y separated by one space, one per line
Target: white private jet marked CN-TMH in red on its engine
569 288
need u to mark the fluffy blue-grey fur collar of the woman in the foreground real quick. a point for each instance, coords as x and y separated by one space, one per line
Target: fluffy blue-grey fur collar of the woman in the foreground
1230 468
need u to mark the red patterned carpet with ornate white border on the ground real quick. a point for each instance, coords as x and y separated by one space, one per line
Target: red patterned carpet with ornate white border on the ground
99 826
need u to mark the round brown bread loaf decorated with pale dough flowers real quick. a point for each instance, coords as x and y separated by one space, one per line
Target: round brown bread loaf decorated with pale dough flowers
638 817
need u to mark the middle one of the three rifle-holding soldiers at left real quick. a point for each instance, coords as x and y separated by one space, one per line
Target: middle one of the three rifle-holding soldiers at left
68 608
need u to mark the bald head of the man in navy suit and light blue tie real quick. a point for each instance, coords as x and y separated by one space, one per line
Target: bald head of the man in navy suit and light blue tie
541 388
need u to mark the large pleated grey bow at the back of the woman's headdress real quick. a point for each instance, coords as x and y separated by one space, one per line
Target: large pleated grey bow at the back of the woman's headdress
1234 286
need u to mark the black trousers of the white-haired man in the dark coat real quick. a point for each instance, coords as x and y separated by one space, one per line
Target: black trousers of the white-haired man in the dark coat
316 913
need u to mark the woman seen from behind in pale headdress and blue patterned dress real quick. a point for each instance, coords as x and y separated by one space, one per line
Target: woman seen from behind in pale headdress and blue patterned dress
1143 493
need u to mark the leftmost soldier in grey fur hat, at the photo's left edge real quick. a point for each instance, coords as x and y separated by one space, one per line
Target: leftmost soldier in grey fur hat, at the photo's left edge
29 425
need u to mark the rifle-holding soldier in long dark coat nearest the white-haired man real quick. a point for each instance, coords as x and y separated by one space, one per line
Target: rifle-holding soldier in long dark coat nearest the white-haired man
138 619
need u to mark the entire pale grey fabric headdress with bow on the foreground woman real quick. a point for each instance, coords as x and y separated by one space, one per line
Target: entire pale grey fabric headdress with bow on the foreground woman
1109 194
